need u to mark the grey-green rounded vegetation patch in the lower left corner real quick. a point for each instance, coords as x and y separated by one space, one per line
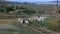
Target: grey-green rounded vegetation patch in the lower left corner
6 28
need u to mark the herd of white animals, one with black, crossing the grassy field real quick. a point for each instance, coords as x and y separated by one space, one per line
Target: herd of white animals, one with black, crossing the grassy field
26 20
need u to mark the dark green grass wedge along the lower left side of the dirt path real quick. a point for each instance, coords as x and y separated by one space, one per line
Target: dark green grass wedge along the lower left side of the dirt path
24 30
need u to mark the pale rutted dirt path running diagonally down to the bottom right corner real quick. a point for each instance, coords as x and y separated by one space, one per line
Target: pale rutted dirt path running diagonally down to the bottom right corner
42 30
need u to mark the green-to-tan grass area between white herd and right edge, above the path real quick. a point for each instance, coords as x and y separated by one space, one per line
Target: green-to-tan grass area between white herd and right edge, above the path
50 23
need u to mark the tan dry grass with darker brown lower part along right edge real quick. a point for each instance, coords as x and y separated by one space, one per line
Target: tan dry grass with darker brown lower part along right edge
55 22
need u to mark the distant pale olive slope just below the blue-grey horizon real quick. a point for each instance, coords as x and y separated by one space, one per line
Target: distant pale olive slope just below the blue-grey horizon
36 7
